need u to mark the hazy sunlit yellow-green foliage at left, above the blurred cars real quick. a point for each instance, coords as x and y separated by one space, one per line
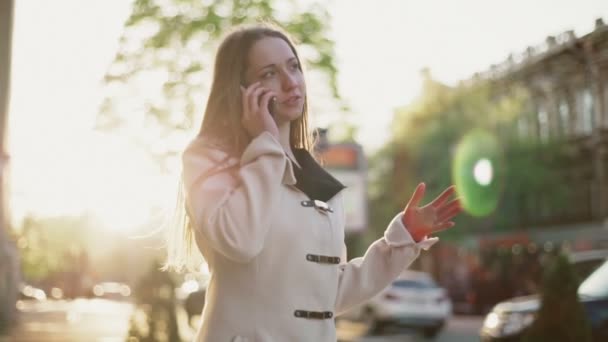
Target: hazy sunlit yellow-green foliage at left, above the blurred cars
61 251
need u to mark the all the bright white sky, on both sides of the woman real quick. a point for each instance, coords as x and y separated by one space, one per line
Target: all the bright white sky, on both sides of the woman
62 48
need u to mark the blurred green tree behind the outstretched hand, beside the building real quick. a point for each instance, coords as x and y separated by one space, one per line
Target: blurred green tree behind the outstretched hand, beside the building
424 141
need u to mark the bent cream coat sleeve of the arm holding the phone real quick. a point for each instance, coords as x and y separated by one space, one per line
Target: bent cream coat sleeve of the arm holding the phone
233 215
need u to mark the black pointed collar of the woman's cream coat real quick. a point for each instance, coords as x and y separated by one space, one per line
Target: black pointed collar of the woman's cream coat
312 179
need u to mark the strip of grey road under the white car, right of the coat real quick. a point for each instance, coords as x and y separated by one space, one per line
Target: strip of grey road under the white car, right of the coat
458 329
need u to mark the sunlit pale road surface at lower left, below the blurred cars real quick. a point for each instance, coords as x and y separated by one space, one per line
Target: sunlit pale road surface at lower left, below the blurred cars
72 321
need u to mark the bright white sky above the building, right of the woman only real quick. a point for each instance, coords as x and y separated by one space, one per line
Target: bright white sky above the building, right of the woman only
382 45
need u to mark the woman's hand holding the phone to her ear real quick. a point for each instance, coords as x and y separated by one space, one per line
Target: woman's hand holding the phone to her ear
256 117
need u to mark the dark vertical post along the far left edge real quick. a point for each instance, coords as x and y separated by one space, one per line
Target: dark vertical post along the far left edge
9 269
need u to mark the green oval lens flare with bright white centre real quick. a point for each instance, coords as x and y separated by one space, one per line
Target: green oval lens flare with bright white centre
477 172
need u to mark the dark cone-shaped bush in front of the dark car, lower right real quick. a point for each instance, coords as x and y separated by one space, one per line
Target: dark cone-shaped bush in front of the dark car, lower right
561 316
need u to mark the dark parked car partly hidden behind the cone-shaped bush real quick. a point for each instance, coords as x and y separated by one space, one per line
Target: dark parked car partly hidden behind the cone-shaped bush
509 320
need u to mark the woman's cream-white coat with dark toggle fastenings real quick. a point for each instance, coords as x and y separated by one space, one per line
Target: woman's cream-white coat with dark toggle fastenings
278 264
